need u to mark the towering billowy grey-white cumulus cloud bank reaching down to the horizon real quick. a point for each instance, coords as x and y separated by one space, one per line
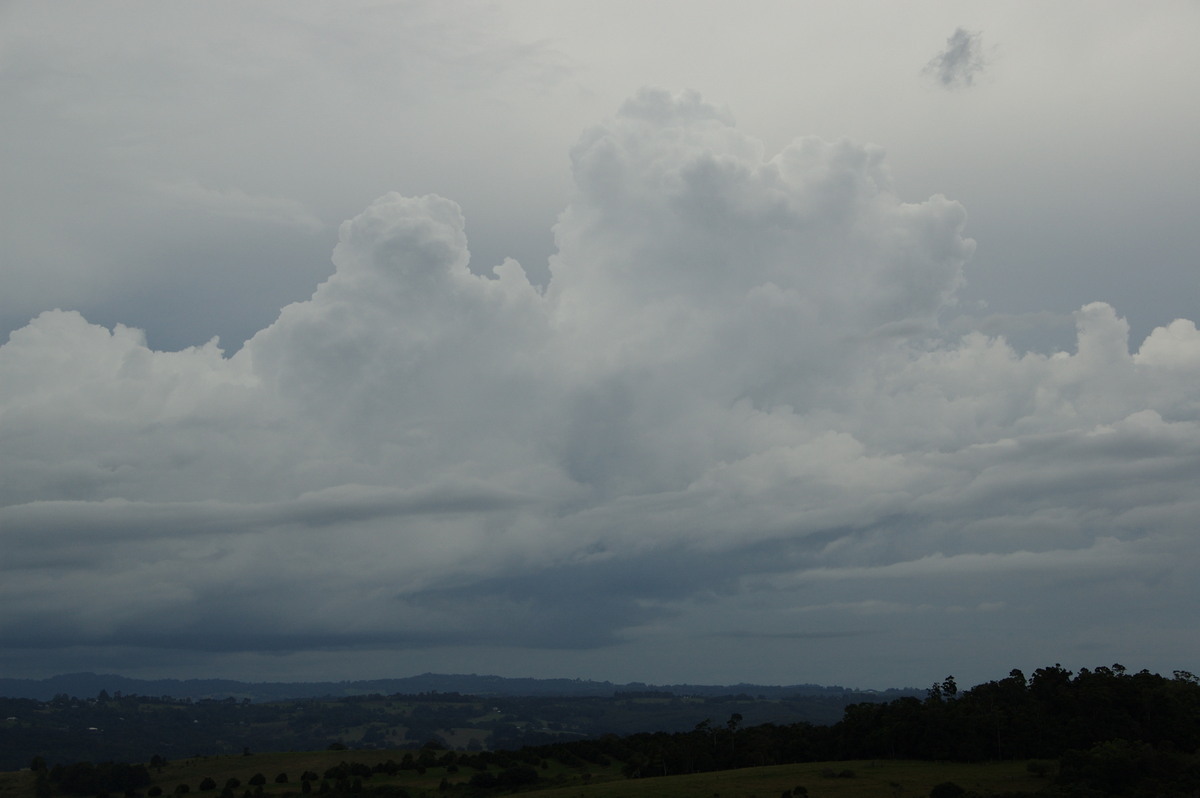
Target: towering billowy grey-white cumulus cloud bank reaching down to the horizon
729 433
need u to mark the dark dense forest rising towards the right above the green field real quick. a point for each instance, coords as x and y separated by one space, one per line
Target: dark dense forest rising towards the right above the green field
1107 715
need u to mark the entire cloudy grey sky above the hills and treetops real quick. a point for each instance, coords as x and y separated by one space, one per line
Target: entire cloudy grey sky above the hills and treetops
761 343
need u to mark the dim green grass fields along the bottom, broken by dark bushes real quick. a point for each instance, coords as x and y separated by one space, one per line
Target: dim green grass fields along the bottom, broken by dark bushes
871 779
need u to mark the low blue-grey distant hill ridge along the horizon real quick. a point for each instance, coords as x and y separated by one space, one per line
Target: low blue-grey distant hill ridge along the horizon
86 686
